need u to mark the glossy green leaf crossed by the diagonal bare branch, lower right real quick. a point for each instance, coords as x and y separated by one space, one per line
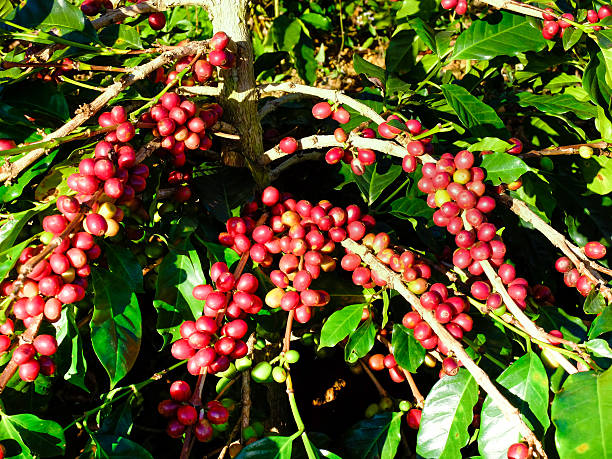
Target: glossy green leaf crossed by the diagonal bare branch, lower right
526 385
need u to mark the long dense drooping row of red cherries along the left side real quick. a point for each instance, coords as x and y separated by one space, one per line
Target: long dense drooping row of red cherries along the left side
61 277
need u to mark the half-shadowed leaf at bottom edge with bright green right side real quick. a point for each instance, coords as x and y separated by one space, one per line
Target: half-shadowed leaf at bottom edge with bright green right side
375 438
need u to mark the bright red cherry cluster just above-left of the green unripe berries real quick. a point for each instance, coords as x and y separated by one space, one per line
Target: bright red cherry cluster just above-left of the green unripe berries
205 344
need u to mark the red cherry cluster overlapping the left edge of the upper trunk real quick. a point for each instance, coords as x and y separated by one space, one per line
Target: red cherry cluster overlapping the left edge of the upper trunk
202 70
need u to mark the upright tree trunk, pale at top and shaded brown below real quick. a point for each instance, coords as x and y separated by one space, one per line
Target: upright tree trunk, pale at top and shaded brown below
239 98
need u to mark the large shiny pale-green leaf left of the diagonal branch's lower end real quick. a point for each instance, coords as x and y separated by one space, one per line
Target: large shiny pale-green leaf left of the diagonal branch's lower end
446 416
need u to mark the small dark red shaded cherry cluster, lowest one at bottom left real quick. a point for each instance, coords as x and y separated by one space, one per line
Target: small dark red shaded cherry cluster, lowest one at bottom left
182 414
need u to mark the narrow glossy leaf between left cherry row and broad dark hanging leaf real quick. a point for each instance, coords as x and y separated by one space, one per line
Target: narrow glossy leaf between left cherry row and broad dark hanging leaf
71 363
